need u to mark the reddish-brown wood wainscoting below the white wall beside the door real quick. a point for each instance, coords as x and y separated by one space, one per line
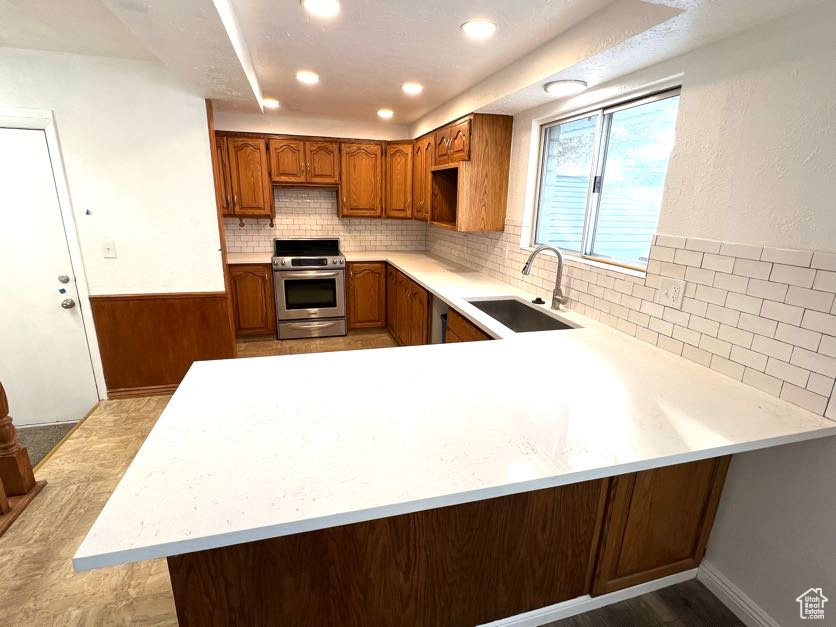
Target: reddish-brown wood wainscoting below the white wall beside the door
149 341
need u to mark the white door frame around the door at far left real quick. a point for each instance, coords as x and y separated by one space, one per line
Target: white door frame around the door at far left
44 120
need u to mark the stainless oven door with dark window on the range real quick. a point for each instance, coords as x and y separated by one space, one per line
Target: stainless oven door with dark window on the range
309 294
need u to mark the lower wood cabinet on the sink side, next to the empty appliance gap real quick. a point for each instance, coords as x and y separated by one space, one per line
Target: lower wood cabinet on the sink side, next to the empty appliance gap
407 309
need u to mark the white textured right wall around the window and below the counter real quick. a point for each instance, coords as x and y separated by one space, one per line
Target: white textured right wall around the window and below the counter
754 161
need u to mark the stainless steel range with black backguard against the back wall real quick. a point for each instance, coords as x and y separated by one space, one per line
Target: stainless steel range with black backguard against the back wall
309 277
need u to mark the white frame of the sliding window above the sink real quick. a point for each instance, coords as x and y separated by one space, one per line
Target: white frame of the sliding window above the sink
597 163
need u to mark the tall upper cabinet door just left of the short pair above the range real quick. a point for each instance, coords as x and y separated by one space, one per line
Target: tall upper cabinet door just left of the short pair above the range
252 194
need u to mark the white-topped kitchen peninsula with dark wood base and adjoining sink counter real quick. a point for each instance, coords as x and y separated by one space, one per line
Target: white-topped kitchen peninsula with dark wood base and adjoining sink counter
442 484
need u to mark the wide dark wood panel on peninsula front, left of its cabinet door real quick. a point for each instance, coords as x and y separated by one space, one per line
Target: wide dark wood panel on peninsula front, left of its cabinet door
454 566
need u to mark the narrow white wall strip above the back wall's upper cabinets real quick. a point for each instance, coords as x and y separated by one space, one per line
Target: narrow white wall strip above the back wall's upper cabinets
281 122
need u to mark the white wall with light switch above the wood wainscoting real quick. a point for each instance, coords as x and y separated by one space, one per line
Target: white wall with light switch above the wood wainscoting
136 151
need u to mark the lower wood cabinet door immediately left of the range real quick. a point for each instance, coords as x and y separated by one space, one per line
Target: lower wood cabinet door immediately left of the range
253 302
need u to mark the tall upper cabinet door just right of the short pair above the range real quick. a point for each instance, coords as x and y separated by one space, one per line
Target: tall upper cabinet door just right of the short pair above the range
361 169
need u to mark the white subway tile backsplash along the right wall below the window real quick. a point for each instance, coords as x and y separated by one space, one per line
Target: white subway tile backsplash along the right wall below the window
766 316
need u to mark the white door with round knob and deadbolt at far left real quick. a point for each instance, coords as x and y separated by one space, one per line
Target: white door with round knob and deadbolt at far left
45 365
